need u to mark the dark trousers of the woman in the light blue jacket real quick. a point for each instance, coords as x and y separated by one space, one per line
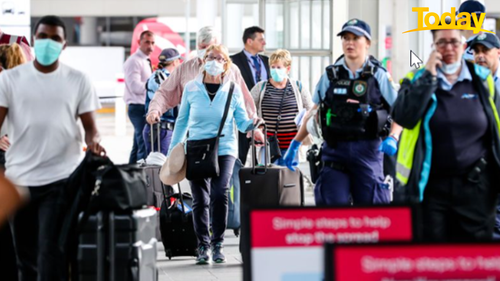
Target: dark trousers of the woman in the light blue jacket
212 194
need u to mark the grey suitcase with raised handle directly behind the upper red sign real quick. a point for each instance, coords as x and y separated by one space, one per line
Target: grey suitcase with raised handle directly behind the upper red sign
270 185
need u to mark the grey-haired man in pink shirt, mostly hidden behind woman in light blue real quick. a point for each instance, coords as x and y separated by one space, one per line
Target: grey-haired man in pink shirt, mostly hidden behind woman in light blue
170 92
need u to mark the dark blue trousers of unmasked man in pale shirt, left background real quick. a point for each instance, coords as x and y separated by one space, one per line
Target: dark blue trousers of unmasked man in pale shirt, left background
136 114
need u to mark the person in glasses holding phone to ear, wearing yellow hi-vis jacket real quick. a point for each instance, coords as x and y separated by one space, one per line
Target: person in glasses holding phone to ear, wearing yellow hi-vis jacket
450 150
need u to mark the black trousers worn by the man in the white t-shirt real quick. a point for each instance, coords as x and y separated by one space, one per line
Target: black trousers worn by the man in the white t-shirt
35 234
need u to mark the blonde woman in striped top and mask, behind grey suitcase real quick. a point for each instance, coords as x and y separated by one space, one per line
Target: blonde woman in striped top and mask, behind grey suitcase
278 101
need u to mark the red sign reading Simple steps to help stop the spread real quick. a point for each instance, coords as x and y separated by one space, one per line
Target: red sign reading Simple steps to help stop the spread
315 226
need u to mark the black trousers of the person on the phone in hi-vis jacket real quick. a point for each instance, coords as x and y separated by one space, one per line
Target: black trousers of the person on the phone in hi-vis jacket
458 210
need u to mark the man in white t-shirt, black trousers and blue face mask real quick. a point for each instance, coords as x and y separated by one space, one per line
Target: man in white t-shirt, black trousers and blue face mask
43 101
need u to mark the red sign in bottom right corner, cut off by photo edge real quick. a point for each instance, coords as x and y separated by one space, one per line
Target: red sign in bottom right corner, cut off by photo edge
480 262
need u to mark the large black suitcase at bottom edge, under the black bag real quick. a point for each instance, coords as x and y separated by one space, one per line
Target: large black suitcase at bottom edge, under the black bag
118 247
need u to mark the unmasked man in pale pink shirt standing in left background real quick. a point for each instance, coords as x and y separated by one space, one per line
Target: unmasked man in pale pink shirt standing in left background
137 71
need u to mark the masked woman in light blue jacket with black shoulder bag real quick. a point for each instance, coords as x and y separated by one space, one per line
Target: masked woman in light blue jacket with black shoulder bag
200 114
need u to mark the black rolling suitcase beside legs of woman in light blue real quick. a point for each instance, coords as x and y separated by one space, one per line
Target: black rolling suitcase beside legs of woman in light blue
176 225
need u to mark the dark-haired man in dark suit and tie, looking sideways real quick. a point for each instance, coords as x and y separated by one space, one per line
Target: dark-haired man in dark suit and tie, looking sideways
254 68
